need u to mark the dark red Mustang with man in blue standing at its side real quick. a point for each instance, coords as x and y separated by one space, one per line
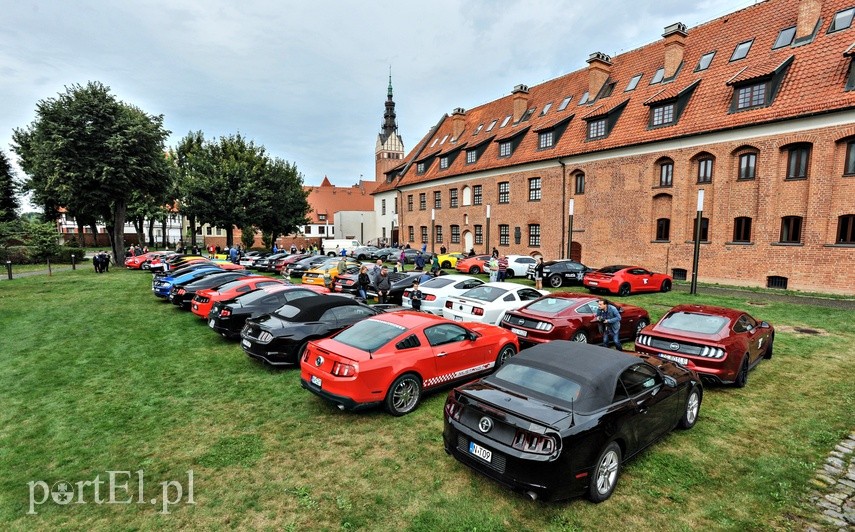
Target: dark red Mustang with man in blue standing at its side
568 316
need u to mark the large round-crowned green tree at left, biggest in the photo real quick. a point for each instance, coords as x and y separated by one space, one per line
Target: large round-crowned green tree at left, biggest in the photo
89 152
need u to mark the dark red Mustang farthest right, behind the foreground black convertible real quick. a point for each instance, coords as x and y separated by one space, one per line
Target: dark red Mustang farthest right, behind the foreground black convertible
720 344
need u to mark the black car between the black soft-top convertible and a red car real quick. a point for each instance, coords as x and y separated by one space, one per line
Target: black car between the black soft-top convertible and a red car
228 317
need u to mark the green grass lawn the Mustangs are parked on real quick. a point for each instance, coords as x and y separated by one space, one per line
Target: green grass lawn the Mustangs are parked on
96 375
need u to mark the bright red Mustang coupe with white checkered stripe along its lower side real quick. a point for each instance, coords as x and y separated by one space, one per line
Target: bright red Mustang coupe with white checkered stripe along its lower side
392 358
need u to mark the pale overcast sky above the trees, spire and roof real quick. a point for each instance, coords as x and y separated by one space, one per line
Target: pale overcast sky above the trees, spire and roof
307 80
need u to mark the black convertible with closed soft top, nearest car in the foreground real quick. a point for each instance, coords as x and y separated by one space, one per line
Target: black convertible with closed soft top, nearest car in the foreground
559 419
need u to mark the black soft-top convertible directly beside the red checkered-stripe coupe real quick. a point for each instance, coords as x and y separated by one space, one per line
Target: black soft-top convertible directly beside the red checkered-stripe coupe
281 337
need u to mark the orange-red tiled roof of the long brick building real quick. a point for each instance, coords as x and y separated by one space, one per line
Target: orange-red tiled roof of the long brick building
814 82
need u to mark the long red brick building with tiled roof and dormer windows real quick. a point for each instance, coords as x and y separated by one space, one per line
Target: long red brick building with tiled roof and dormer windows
755 108
